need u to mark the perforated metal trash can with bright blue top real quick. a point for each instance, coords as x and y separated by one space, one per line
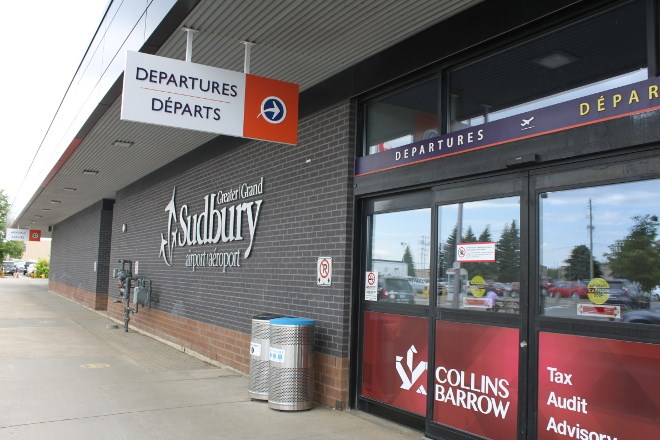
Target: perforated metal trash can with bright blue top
291 353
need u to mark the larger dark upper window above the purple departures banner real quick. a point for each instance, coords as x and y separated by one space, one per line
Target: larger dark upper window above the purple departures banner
602 52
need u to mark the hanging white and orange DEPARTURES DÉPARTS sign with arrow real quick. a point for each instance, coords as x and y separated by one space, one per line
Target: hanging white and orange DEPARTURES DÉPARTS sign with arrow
176 93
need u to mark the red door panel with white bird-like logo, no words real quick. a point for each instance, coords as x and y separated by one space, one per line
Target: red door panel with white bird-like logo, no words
395 360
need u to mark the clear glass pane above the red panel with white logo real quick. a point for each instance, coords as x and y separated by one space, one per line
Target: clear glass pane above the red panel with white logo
400 254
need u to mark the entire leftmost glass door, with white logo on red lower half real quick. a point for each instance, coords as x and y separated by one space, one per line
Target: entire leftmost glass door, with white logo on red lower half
394 307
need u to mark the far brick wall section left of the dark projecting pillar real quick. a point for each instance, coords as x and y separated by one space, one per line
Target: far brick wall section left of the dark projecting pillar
79 243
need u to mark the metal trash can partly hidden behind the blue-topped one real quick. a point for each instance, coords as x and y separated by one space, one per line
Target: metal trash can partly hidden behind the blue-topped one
259 363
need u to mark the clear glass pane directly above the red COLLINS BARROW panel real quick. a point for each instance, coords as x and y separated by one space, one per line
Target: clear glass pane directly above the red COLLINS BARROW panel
481 269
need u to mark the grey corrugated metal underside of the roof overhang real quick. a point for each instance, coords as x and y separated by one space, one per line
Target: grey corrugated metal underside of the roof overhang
299 41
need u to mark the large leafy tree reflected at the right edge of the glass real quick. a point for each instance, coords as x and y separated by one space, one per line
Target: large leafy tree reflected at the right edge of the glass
637 256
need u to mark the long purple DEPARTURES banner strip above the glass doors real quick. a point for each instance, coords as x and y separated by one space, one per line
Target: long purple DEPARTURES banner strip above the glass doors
612 104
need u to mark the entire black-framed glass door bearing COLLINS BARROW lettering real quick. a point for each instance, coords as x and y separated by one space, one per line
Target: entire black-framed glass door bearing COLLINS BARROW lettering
480 293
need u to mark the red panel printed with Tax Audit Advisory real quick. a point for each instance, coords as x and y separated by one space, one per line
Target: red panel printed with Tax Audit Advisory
597 388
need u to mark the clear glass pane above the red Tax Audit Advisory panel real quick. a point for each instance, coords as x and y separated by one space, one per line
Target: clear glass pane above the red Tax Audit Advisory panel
600 254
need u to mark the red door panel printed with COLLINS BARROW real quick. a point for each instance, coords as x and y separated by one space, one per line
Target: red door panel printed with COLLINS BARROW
476 379
